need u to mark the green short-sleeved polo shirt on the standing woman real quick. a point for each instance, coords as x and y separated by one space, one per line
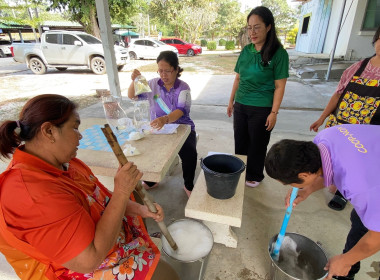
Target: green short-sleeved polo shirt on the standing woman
256 86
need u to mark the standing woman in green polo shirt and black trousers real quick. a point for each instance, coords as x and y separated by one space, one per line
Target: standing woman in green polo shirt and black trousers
261 73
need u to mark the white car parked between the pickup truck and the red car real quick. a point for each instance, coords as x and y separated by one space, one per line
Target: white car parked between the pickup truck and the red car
148 48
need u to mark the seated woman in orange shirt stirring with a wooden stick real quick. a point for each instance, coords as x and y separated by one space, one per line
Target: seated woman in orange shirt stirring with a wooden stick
57 221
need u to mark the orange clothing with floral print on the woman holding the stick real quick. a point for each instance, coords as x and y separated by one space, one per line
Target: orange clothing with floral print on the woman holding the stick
51 214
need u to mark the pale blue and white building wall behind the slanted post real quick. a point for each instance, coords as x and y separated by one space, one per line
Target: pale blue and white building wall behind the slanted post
352 43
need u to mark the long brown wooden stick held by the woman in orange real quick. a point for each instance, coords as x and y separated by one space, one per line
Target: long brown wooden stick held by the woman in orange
112 140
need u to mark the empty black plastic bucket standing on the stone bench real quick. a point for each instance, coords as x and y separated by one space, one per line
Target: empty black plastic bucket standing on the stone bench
222 174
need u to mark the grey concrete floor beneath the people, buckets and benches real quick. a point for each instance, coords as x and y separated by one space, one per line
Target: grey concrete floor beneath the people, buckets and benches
263 209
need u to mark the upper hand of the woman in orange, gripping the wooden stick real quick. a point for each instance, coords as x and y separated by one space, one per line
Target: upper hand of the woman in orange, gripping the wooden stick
126 179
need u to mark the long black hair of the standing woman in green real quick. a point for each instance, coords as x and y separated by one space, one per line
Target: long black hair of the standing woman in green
272 43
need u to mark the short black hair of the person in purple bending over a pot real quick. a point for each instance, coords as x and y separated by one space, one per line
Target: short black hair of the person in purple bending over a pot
287 158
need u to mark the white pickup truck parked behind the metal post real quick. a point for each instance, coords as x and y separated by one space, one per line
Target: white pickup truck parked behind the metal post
62 49
